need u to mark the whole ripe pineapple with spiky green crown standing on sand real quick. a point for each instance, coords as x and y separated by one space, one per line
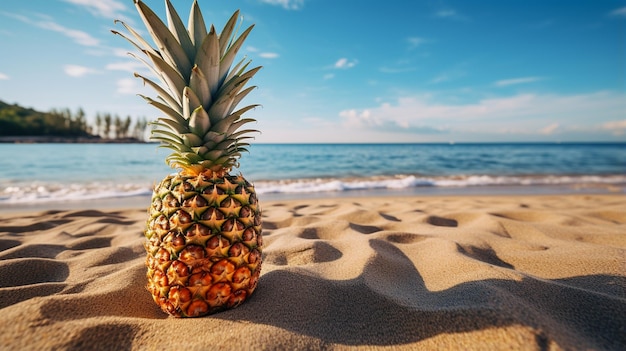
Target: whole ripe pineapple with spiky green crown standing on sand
203 233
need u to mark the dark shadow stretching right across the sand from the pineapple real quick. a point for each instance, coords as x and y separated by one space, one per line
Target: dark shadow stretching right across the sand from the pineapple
389 304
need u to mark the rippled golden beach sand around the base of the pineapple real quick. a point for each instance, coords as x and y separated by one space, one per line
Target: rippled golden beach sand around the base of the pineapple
465 272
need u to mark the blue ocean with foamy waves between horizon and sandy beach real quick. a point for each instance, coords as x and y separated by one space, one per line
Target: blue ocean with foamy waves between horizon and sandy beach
45 173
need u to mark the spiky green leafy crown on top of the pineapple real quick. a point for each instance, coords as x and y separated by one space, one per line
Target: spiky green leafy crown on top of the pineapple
199 89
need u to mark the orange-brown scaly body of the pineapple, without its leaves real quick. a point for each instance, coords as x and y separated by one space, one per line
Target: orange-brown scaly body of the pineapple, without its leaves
203 242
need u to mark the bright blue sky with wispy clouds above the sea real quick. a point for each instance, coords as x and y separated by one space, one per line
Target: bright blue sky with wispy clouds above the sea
354 70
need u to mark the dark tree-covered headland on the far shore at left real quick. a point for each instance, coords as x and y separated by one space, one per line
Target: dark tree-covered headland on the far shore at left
18 121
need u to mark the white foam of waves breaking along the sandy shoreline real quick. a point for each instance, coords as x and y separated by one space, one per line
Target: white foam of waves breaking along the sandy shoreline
56 192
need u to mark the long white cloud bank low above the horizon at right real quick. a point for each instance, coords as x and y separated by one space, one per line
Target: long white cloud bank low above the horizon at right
523 113
